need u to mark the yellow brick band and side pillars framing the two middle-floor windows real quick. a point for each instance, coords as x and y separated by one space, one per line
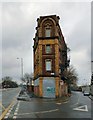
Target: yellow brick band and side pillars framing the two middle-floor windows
38 55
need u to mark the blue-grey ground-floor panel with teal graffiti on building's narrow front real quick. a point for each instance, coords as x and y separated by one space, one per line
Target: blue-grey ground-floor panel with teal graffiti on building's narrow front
49 87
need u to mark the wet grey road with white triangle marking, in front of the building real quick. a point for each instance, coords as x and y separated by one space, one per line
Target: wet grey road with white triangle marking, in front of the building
77 106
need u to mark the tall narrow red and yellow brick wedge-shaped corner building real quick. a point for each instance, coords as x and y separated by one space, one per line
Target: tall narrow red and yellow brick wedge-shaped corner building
50 58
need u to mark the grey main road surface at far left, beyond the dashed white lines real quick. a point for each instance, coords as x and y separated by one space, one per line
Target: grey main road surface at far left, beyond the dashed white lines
7 98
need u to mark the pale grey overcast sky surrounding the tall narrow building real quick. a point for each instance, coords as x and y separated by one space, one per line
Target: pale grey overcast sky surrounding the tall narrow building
18 31
